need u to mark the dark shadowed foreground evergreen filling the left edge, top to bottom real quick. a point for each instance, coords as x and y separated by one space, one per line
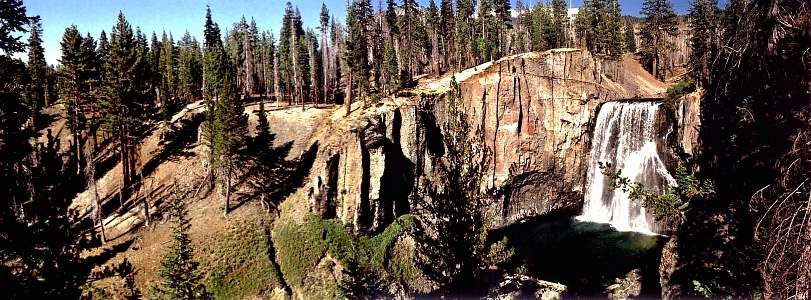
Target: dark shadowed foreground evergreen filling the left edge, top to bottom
39 252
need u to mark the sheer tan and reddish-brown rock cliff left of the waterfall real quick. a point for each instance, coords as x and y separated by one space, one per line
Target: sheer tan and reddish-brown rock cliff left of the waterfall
534 110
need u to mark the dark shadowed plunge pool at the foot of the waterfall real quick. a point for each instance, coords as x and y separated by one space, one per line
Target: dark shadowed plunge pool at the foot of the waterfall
584 256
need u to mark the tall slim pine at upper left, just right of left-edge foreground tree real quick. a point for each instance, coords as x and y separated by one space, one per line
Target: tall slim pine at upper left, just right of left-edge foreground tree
36 70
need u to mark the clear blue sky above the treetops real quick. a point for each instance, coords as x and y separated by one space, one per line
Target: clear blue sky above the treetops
177 16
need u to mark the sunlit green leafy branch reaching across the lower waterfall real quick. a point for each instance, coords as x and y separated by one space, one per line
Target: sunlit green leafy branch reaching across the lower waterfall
670 205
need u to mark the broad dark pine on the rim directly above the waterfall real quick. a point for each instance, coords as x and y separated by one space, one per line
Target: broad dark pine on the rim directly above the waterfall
658 24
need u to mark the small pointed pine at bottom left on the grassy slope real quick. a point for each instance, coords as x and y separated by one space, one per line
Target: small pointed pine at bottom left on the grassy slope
180 276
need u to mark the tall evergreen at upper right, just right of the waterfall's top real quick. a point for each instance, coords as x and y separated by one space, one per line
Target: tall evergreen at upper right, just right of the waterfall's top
704 23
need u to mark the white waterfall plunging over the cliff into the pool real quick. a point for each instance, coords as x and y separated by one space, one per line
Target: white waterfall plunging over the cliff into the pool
626 137
